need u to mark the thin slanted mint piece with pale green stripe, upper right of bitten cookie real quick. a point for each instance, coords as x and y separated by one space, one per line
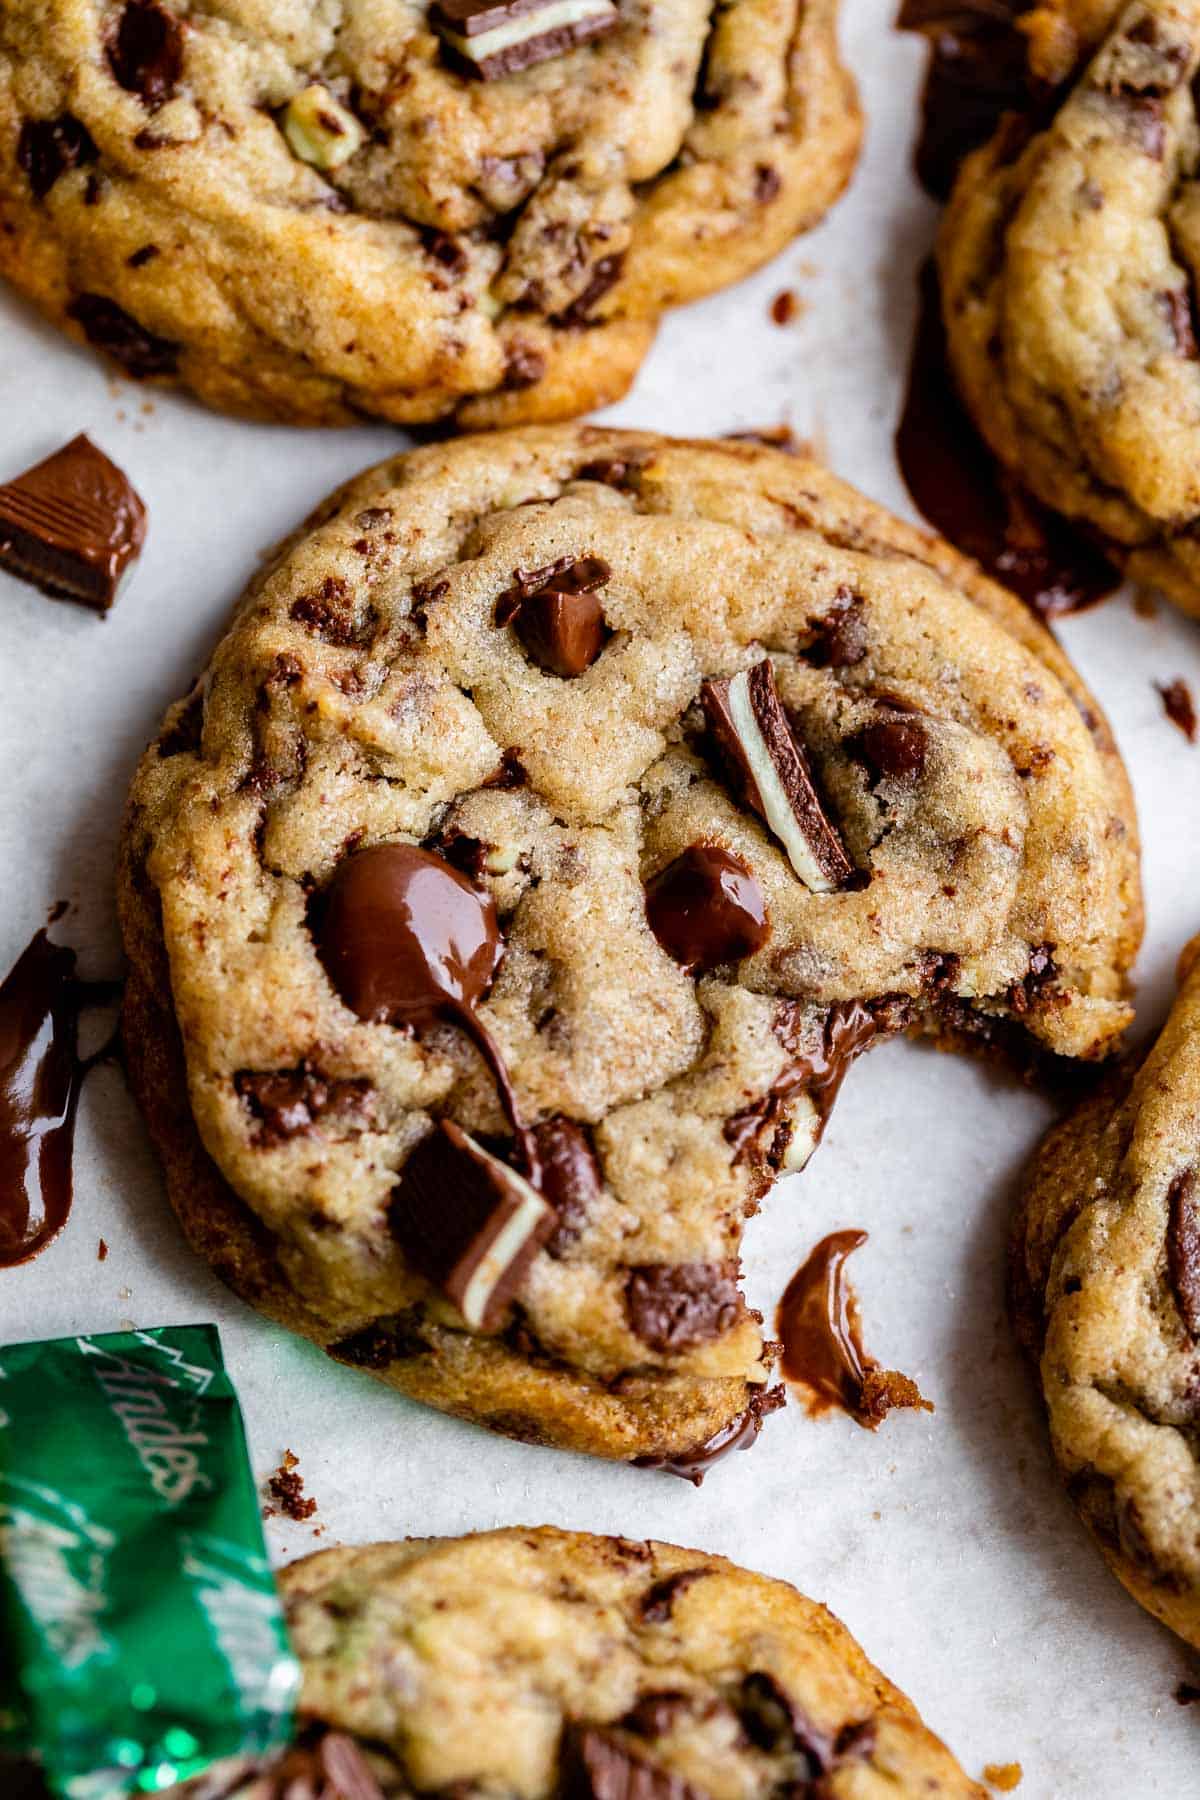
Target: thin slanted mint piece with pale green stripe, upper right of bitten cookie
751 726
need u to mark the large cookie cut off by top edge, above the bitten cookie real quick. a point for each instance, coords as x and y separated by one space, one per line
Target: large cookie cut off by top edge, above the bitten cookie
469 211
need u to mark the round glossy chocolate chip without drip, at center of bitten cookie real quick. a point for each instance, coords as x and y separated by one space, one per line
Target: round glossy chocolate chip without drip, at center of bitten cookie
708 910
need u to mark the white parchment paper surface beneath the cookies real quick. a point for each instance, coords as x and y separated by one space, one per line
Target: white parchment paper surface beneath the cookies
944 1542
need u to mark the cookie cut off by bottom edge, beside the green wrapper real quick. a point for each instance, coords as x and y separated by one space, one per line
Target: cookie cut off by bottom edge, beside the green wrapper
541 1662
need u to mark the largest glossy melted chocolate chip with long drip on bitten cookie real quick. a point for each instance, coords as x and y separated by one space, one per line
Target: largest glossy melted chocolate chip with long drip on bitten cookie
407 940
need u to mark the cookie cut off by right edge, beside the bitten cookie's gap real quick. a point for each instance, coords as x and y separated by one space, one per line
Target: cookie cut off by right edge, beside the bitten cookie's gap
1107 1299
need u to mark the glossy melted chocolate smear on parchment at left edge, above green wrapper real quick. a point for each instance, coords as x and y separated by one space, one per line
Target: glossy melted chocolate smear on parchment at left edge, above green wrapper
40 1083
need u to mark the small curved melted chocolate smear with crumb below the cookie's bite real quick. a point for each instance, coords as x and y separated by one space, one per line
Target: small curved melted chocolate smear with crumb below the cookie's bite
821 1333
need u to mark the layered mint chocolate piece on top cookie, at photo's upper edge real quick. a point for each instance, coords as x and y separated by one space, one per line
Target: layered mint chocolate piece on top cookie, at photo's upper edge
494 39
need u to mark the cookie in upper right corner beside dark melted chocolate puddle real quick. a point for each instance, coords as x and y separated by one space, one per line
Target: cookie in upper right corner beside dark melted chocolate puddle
1068 274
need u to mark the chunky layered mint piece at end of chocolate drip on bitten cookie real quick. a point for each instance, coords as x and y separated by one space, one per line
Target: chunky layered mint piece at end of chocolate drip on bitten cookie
469 1223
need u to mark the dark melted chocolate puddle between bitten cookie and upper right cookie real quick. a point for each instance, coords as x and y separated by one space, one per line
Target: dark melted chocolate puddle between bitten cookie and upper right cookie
958 485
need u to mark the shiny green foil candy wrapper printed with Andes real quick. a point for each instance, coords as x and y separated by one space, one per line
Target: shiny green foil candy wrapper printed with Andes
141 1637
